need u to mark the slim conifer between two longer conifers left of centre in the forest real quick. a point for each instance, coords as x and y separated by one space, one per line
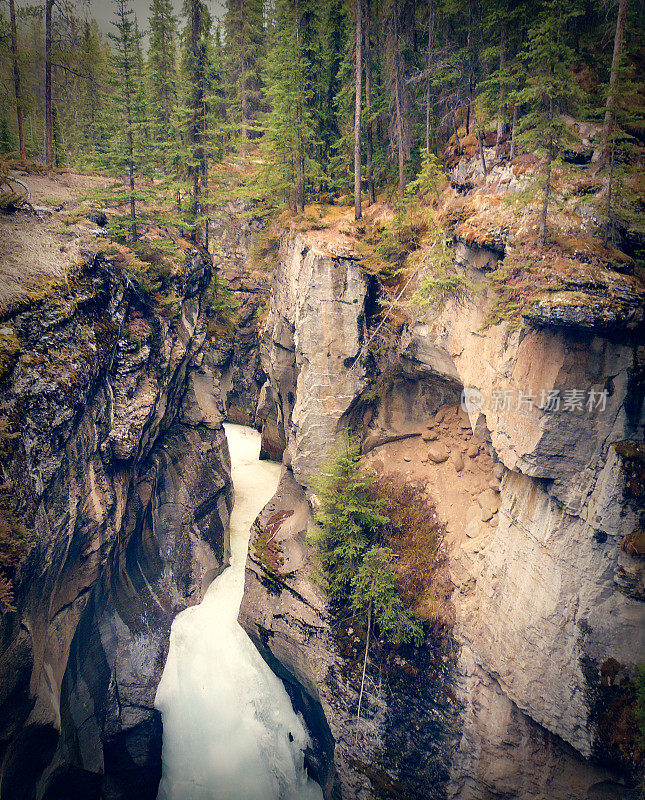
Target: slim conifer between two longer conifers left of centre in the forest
162 76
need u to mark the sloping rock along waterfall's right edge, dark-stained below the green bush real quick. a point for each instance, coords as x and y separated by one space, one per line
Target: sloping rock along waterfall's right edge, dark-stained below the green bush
401 746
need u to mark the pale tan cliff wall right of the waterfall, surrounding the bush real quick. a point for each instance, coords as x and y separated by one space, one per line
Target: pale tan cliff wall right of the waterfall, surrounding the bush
542 501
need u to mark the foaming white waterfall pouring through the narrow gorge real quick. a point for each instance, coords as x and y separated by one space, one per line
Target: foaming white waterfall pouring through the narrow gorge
229 730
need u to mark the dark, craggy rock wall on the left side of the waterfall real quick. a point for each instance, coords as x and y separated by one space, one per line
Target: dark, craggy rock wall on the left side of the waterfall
118 462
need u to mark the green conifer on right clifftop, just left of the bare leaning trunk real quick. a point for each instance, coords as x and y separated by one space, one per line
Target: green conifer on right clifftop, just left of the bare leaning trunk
550 88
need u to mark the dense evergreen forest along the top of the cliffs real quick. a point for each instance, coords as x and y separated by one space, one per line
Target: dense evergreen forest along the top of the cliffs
317 100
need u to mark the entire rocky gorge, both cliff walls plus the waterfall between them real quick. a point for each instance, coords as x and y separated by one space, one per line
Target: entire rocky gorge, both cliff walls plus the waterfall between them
124 469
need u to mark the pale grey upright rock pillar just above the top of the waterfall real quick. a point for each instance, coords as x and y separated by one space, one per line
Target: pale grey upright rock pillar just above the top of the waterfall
312 346
